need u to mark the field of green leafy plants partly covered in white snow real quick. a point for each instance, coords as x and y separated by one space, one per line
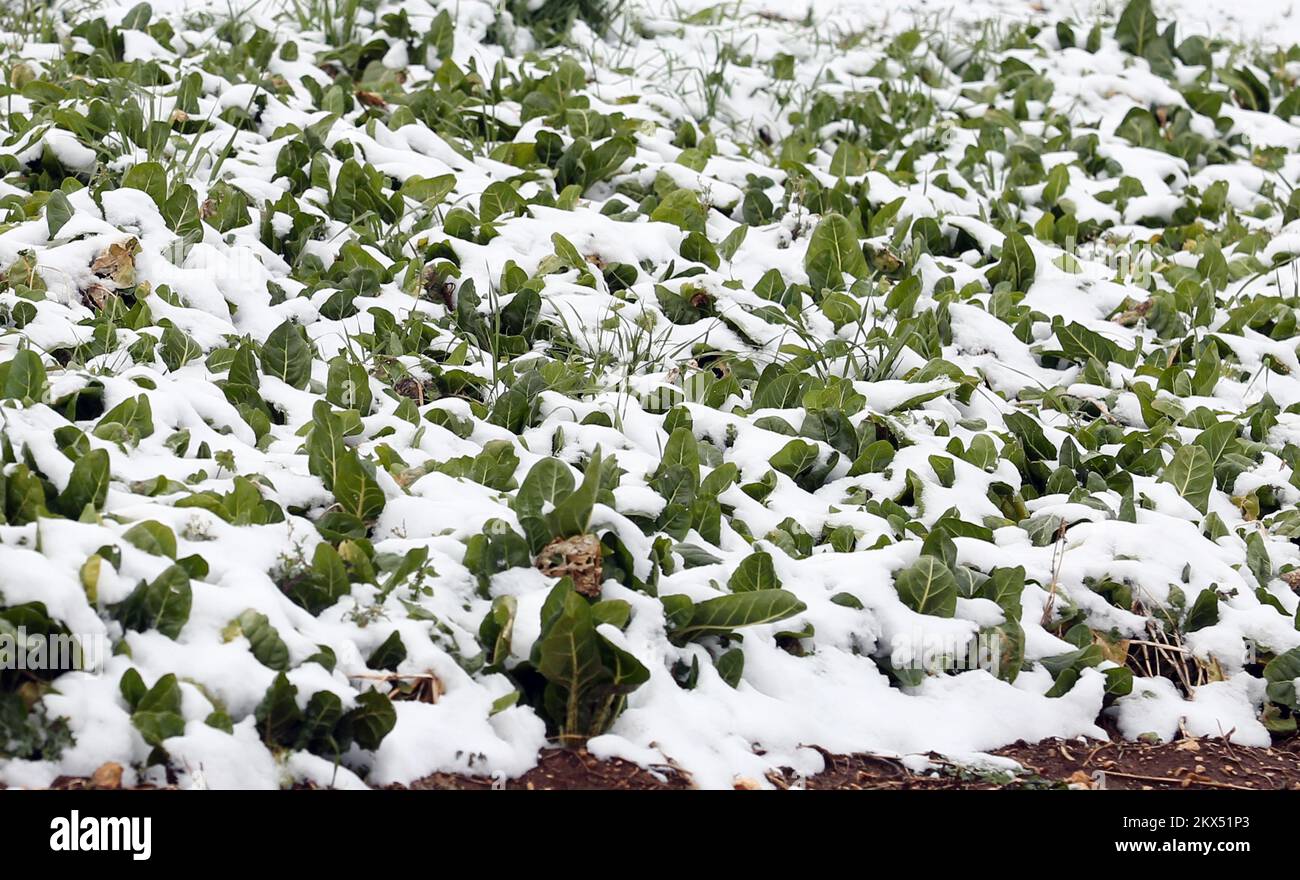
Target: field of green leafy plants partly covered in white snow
391 388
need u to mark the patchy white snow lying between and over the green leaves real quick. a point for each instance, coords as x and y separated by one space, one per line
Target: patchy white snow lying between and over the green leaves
834 695
